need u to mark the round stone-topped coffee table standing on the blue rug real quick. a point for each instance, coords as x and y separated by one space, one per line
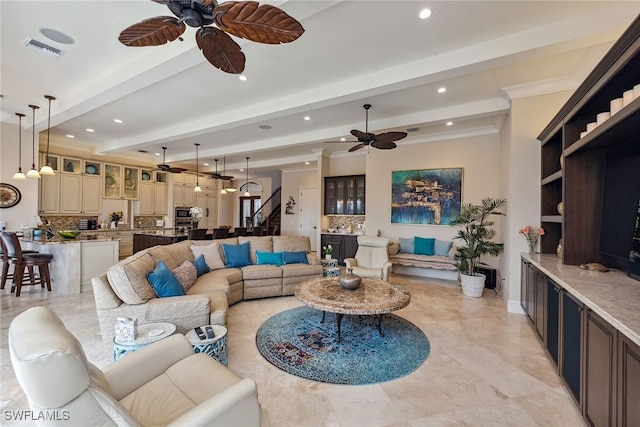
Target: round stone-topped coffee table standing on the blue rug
373 298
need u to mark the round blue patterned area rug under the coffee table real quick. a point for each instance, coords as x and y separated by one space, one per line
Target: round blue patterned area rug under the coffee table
298 343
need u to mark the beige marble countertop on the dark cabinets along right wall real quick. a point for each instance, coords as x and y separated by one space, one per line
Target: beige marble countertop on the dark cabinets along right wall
613 295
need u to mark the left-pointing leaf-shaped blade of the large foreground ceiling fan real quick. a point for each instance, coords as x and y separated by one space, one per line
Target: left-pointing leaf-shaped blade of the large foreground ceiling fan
152 32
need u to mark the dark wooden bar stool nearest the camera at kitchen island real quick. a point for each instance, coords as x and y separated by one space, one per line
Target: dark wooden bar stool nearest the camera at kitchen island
21 261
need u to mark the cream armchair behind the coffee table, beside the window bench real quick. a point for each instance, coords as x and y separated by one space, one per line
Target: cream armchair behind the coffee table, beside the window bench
372 258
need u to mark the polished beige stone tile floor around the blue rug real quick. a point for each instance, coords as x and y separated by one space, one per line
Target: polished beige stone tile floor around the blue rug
486 367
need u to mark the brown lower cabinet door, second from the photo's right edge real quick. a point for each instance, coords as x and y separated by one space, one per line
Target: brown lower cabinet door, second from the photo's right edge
600 369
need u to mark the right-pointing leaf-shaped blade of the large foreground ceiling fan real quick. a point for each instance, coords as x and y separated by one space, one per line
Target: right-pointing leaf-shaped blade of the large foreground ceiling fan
262 24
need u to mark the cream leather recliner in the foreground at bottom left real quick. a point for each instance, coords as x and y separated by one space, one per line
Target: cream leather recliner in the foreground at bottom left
163 384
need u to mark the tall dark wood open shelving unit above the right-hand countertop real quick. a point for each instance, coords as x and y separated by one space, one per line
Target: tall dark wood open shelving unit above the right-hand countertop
578 180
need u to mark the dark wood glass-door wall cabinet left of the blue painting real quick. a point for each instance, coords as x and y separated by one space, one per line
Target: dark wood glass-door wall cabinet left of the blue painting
344 195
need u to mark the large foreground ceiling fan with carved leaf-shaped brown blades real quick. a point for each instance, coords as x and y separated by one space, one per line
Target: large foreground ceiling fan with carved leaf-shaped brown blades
245 19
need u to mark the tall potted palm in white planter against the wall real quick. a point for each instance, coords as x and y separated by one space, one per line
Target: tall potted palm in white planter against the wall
477 233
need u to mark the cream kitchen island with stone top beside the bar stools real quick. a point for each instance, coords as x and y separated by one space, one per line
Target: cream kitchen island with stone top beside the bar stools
75 261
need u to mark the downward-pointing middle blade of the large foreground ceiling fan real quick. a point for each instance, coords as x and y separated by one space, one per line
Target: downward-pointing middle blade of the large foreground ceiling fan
220 50
